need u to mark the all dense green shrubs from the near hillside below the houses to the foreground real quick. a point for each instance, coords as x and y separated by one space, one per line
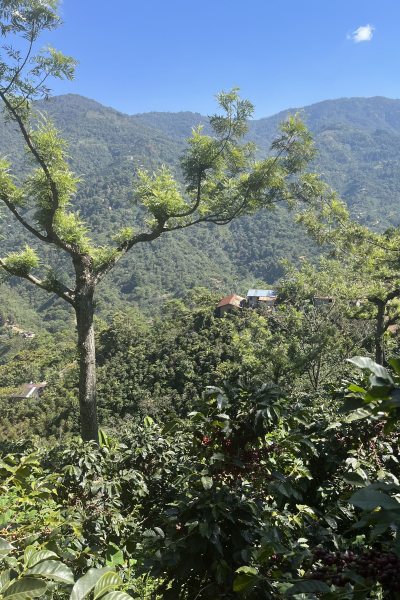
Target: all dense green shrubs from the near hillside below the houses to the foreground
241 456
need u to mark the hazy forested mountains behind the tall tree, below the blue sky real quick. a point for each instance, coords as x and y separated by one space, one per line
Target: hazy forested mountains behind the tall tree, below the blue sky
359 146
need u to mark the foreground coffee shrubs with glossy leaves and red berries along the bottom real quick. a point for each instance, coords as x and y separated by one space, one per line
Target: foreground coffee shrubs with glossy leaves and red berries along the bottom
253 494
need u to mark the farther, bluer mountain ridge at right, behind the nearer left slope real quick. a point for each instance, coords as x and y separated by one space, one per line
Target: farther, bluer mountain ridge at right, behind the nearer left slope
358 141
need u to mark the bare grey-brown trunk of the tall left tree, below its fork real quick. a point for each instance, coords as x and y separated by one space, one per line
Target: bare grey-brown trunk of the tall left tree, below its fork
87 367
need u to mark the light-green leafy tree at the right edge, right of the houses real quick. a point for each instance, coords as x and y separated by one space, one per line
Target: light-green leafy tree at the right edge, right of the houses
366 268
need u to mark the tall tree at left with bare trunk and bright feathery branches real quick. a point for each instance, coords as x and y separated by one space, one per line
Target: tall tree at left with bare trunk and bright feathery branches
222 181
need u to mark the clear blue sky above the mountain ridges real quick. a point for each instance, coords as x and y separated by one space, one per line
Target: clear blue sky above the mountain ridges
140 56
